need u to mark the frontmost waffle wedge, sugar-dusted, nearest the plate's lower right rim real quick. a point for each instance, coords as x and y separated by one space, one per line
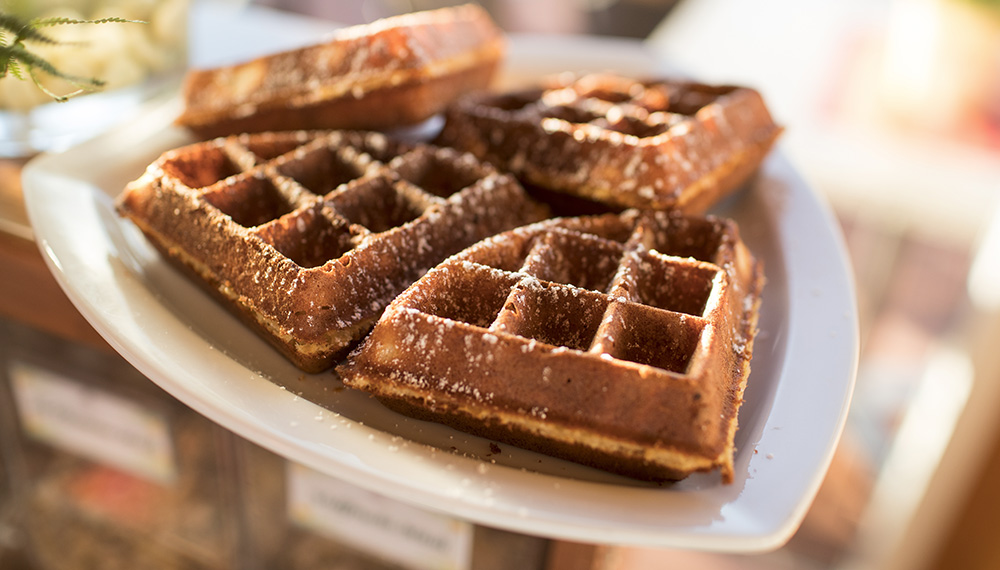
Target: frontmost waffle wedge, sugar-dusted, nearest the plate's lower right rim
620 341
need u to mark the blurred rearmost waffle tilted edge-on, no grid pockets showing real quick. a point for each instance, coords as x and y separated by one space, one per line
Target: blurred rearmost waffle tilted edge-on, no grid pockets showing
393 72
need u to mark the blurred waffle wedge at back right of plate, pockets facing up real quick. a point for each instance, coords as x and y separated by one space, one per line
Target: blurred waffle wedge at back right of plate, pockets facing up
619 143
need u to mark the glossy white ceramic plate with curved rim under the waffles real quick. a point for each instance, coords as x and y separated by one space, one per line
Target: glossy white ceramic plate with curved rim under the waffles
797 399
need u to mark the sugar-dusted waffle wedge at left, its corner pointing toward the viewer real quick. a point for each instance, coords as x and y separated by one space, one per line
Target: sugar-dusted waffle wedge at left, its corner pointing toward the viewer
308 235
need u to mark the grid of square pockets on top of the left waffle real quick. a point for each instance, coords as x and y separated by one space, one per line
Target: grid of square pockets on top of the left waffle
316 202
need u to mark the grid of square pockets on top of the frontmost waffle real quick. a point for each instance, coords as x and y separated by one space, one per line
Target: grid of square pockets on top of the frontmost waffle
589 293
